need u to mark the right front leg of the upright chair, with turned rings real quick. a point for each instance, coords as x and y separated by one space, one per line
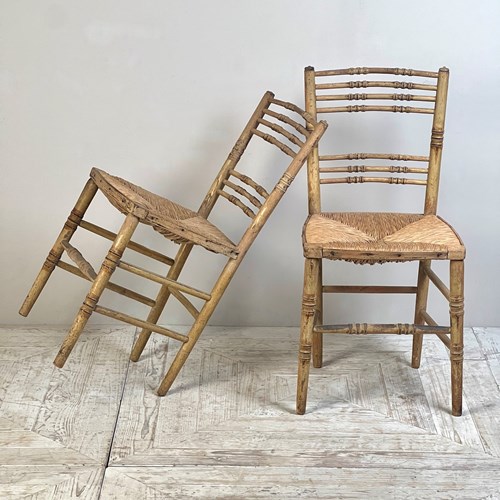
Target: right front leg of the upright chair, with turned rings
457 334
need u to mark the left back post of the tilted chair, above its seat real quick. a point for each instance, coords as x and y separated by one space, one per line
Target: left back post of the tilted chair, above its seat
234 156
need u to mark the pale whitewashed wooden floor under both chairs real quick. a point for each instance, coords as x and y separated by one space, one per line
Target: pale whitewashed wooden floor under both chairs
375 427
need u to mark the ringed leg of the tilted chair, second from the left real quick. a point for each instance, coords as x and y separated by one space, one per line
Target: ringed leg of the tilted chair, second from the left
108 267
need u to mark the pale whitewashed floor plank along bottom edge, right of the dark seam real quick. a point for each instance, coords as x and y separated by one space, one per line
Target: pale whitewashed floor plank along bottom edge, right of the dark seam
291 483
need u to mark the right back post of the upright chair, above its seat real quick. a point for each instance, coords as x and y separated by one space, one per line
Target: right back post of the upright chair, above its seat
436 147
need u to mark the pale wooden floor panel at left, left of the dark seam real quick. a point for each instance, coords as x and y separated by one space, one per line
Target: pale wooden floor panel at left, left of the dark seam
66 417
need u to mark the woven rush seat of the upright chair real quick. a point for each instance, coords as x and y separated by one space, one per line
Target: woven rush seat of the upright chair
353 236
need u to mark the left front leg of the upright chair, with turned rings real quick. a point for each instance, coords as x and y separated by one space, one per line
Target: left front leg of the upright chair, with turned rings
306 331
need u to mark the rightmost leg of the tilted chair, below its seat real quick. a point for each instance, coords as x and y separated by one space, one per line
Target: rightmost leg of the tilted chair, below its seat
200 323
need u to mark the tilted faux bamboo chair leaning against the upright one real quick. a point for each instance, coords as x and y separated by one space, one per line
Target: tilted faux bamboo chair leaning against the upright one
279 123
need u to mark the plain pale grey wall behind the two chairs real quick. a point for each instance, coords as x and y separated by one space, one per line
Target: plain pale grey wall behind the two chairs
157 92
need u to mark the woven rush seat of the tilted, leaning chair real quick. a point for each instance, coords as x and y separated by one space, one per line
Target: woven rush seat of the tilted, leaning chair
174 221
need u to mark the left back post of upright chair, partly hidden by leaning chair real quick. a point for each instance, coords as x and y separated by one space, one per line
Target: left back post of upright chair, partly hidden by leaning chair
313 184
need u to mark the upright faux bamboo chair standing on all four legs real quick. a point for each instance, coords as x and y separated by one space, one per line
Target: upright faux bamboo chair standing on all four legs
368 238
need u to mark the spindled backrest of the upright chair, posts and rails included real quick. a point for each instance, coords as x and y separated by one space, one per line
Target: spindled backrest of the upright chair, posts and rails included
326 92
